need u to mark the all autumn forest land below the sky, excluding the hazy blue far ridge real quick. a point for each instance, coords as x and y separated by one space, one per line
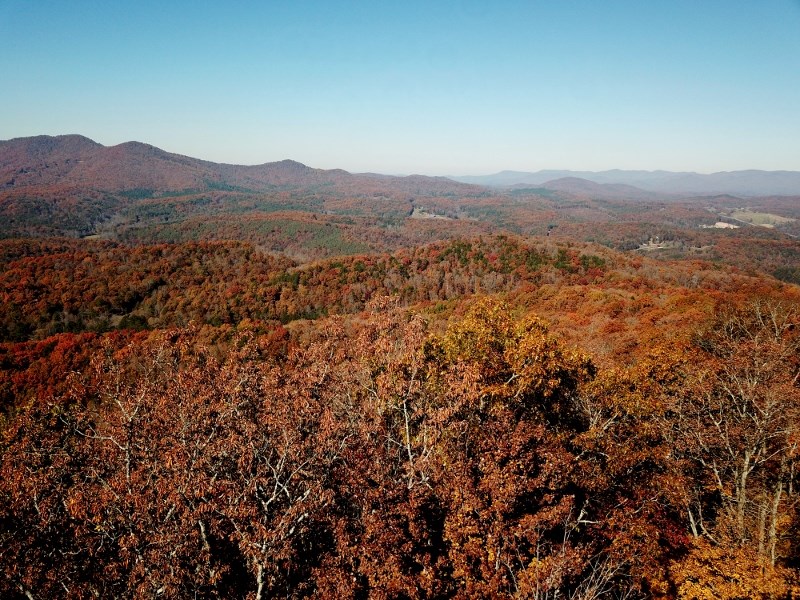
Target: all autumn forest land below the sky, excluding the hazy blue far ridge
282 382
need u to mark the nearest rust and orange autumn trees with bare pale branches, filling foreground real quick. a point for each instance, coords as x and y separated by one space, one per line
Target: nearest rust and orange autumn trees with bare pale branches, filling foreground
400 454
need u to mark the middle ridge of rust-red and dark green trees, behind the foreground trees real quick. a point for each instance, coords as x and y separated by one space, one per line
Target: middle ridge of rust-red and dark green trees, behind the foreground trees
51 287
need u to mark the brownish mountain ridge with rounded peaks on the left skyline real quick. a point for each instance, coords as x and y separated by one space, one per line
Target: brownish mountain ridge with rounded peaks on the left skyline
81 163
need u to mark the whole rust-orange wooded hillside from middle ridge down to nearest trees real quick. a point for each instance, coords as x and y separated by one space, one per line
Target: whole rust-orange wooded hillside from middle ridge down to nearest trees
384 415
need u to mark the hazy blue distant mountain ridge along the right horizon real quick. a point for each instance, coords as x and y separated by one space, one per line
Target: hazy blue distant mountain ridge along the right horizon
742 183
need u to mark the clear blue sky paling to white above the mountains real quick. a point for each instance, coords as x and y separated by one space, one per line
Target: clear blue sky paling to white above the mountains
428 87
